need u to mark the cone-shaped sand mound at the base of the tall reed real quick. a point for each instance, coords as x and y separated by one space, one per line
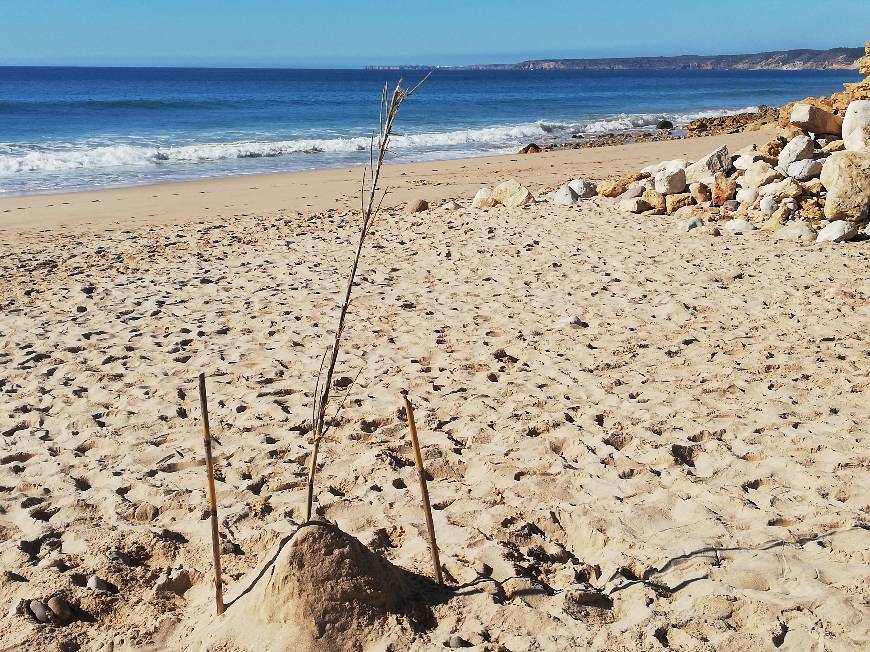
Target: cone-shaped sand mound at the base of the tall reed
324 591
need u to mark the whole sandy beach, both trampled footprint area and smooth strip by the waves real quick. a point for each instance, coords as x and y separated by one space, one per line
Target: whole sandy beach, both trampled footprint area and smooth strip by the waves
638 439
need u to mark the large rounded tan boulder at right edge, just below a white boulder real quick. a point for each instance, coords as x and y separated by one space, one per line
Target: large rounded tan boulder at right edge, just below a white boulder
846 175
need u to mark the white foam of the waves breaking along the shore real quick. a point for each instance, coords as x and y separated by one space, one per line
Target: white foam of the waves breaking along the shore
19 159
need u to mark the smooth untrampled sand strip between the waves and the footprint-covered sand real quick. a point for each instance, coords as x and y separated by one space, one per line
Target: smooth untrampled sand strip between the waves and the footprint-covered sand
329 188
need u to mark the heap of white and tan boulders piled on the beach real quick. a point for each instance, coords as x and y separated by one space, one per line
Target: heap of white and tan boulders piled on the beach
810 183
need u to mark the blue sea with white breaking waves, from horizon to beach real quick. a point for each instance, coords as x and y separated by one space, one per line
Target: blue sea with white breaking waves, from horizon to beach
78 128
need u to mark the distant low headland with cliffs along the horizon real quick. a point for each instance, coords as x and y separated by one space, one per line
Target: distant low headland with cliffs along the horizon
834 59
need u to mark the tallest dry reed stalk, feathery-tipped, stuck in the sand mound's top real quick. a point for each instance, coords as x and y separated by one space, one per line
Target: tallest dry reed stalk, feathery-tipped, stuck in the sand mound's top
370 206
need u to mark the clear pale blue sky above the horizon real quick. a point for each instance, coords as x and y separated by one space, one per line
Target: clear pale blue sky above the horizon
362 32
